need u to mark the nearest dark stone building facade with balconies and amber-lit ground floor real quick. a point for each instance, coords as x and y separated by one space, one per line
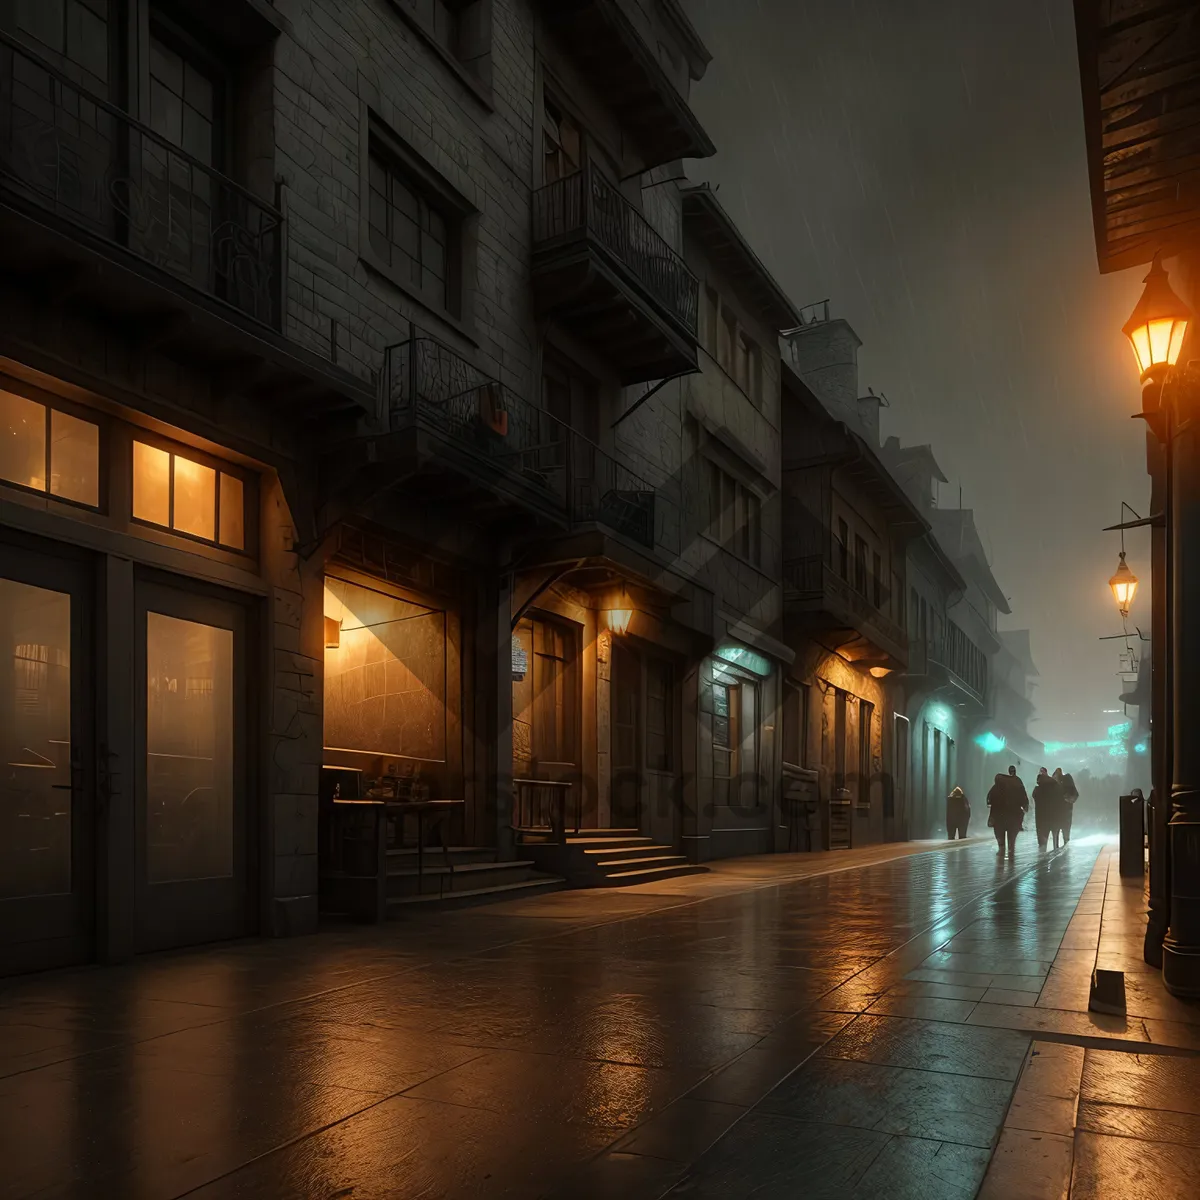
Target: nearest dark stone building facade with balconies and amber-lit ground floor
344 347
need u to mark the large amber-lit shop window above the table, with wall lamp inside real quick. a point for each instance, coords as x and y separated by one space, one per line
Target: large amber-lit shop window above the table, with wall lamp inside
386 674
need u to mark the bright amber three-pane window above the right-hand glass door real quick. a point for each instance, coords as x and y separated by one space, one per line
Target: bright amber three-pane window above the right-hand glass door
181 494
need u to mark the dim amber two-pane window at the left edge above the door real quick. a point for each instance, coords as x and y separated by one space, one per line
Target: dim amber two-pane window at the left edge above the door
49 451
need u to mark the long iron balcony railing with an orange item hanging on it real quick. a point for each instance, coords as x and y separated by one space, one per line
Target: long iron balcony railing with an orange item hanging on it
430 386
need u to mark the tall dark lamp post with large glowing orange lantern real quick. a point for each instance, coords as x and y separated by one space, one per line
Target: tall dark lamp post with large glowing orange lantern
1172 407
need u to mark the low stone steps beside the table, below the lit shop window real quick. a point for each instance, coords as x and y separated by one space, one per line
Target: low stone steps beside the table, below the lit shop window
478 878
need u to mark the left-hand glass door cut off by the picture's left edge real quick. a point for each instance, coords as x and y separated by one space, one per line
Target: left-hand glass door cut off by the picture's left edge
47 865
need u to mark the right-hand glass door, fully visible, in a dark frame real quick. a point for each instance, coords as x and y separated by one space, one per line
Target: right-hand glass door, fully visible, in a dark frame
193 770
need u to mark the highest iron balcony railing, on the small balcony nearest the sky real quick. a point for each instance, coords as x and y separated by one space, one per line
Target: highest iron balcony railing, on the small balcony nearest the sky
586 206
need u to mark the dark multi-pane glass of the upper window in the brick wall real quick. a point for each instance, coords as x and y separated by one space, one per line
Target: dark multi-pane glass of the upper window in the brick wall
413 233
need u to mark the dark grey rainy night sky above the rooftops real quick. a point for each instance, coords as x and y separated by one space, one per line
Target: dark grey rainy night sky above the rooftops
921 164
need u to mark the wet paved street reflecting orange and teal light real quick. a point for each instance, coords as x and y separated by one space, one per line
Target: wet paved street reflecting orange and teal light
782 1028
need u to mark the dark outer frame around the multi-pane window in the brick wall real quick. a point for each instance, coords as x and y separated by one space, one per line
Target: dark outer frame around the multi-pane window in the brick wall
379 142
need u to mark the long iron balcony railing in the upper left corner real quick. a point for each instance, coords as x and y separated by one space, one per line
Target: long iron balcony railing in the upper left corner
87 163
